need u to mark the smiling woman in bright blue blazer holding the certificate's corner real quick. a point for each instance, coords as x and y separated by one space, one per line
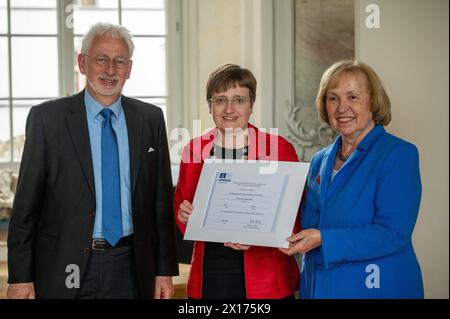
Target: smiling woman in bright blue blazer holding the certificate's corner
362 197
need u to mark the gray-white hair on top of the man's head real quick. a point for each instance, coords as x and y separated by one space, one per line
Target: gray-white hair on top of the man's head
109 30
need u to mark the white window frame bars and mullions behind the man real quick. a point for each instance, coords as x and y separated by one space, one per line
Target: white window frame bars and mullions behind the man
66 77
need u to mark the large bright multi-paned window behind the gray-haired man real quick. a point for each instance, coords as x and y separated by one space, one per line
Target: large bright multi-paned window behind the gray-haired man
36 33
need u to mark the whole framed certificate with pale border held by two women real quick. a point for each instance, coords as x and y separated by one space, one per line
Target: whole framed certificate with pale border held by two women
247 202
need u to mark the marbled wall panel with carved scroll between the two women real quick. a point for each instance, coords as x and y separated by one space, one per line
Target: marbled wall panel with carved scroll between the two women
306 43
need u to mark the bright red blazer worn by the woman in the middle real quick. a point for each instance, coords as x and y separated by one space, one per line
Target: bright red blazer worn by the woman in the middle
269 274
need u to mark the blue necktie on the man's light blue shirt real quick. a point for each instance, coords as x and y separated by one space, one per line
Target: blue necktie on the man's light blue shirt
111 207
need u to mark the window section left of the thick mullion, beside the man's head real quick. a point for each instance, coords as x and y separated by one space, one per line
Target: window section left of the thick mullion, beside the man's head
29 74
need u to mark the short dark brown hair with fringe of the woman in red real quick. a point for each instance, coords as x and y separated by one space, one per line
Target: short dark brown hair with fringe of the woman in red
230 76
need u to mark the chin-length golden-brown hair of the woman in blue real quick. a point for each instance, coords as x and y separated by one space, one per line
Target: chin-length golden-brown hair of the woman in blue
380 105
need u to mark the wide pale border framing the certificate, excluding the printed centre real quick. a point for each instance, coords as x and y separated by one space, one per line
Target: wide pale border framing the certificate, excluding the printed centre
296 174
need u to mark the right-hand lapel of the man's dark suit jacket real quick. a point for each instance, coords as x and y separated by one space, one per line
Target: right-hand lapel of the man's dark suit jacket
135 128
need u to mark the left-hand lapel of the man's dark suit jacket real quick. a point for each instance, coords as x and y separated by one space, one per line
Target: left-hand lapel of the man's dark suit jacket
77 123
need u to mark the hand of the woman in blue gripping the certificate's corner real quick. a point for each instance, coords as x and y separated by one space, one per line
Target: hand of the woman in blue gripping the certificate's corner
303 242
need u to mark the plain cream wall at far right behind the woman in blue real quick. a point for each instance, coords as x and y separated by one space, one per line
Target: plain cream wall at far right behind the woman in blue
410 53
